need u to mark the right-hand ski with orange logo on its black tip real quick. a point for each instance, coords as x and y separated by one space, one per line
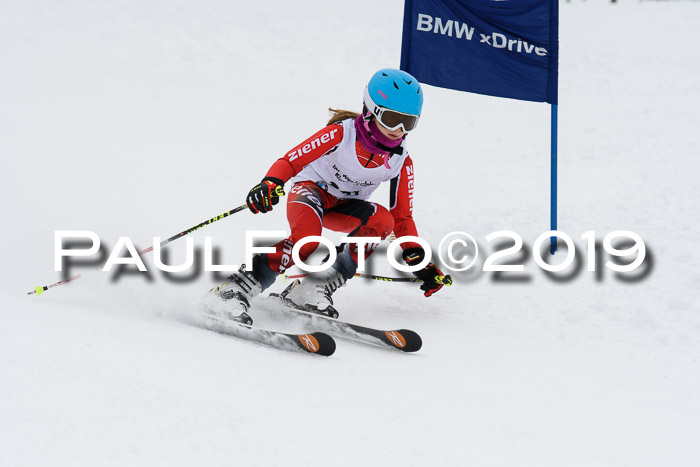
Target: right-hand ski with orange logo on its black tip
404 340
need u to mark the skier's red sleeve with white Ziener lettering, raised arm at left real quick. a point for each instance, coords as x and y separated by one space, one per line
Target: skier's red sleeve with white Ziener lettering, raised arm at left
306 152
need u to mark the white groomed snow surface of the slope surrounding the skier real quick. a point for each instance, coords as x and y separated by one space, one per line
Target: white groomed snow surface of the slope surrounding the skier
141 119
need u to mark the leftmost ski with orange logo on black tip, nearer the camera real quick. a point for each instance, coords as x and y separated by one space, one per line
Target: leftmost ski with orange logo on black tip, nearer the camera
317 343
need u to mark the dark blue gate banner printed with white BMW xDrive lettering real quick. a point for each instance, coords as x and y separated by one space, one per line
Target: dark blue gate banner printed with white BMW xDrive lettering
503 48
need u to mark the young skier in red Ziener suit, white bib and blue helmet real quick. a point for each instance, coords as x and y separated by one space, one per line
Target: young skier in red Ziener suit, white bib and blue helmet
333 173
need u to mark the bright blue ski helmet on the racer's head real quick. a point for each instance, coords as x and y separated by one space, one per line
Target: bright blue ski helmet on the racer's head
394 90
